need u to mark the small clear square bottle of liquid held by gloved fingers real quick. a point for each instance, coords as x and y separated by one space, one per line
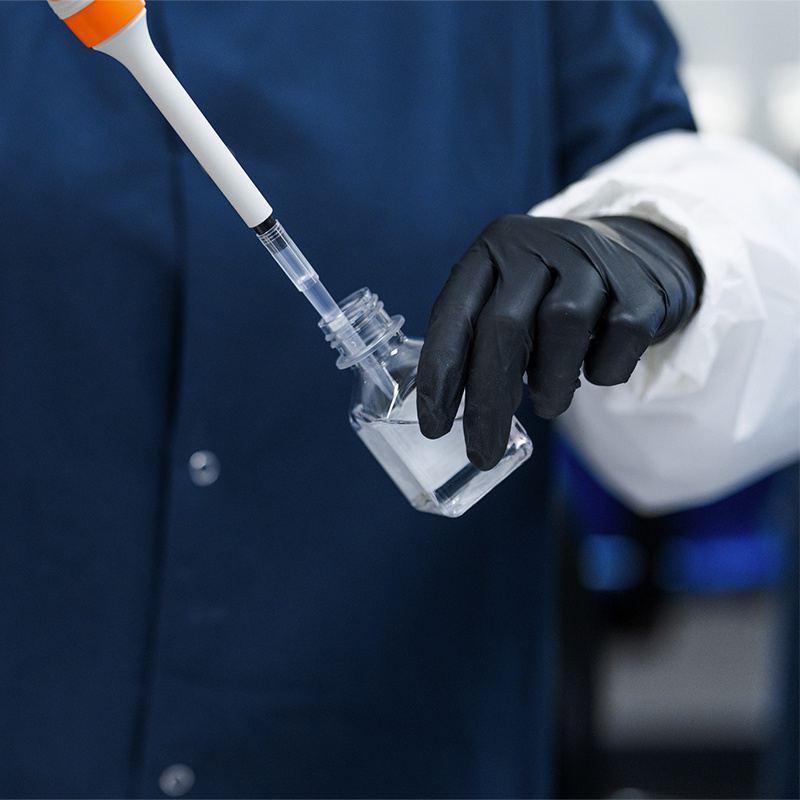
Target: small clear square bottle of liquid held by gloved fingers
435 475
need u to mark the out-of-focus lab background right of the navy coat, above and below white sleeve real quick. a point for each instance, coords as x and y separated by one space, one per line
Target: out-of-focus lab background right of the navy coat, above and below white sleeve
680 633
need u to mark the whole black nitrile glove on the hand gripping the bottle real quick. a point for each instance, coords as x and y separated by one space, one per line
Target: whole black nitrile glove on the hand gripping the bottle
547 296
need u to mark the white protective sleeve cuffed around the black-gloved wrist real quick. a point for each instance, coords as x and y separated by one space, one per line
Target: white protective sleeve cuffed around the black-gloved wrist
717 405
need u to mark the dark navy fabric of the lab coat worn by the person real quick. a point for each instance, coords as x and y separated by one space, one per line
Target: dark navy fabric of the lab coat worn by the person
294 628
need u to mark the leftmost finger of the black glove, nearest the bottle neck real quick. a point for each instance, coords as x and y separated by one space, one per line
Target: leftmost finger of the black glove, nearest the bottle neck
444 359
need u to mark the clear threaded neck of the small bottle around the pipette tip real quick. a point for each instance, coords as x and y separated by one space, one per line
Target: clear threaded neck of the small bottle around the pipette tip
378 334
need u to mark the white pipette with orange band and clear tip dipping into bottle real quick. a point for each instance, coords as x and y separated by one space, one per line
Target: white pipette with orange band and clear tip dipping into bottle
119 29
